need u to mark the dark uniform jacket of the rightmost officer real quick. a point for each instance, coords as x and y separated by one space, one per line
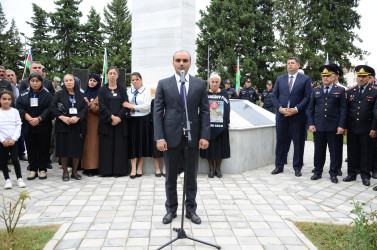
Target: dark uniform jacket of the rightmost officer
360 118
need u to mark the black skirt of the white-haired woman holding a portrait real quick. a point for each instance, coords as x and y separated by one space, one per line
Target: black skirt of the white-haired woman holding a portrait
218 148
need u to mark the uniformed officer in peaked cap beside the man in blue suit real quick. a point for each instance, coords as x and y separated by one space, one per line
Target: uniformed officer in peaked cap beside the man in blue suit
327 119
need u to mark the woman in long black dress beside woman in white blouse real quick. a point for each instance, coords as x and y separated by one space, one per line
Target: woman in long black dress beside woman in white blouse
112 127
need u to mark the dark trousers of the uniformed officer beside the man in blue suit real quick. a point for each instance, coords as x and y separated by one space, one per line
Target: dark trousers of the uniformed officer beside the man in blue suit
323 139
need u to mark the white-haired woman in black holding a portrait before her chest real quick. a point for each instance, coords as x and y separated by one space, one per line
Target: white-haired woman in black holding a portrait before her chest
219 147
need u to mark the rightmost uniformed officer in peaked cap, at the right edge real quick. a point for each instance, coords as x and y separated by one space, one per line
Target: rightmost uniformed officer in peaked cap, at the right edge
361 124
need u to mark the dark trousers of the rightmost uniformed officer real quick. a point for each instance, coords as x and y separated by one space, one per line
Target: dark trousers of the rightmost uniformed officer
359 151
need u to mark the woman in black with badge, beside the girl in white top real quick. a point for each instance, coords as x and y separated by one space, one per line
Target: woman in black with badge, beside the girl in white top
33 105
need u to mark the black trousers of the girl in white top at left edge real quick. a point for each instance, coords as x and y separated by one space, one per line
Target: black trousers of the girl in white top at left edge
4 156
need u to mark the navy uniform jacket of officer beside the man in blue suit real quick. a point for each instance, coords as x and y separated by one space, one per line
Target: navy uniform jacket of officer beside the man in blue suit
328 112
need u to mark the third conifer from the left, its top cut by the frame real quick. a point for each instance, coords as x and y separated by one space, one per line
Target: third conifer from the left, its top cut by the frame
66 24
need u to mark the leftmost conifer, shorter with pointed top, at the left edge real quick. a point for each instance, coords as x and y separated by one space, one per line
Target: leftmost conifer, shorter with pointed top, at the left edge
13 57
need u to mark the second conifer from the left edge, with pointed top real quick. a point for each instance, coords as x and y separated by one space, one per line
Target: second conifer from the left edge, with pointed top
41 43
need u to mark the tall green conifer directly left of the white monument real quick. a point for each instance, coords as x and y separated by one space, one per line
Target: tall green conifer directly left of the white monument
117 28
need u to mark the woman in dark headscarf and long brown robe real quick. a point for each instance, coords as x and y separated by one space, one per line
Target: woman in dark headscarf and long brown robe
89 161
